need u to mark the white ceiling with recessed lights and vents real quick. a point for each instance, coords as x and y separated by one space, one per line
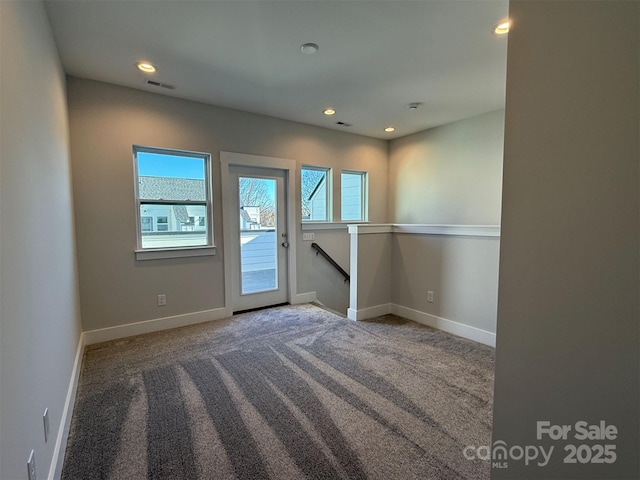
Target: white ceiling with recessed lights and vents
375 56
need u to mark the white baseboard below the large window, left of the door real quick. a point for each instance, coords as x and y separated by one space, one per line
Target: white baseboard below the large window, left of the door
154 325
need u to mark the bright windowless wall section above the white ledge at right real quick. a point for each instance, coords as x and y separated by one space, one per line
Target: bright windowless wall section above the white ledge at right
450 174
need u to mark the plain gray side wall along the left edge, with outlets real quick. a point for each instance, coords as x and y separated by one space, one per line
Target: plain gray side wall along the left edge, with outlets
39 319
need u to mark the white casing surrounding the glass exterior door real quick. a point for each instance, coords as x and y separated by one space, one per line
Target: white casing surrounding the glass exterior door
289 166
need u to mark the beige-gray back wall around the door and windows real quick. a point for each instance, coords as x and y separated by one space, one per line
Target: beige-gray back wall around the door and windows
106 120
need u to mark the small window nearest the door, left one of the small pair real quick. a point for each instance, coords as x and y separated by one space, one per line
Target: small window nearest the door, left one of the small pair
316 194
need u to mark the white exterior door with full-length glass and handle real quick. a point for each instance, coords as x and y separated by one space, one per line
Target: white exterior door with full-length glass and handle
259 237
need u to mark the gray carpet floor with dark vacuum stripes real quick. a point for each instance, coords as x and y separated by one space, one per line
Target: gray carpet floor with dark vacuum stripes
292 392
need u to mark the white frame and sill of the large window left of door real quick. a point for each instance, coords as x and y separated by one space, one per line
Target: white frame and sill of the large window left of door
146 253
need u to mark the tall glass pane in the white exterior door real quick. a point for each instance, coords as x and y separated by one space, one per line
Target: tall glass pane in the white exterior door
258 236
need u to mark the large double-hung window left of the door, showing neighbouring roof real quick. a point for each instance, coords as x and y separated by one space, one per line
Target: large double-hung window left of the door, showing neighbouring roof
173 198
